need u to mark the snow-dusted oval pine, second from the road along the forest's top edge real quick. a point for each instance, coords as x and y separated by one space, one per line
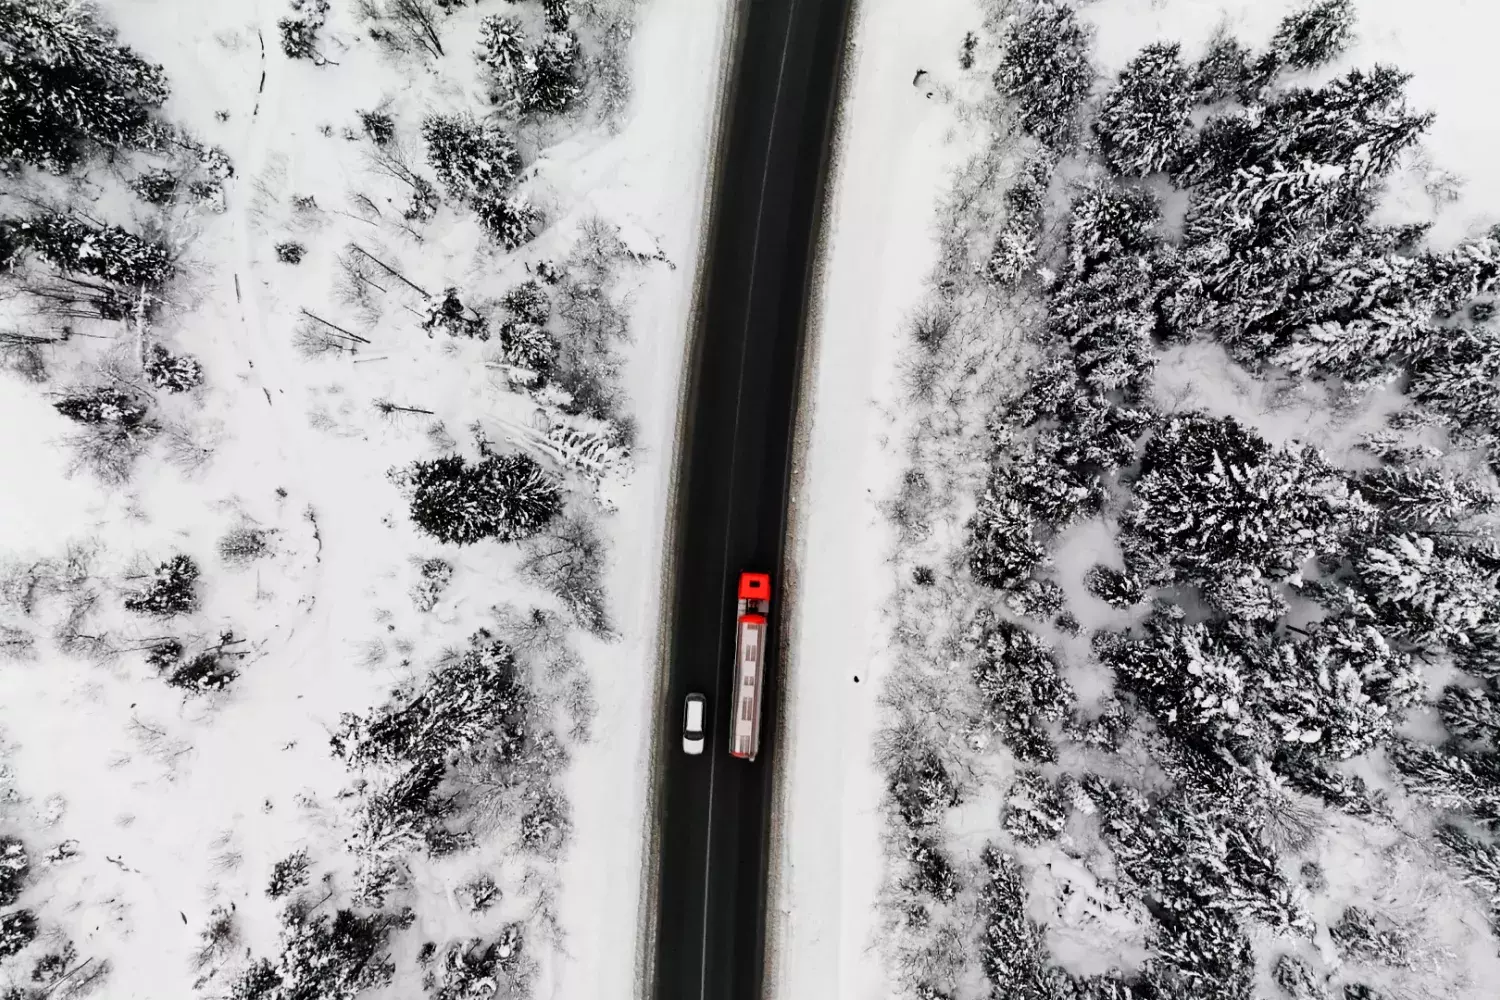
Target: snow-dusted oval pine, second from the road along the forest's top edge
1144 125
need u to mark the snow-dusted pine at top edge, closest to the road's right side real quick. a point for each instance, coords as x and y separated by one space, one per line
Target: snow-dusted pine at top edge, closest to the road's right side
1045 71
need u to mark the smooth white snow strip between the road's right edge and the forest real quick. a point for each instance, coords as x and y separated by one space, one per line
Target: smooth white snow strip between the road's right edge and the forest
896 148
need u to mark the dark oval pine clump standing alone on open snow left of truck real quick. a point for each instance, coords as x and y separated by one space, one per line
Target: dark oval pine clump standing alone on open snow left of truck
500 497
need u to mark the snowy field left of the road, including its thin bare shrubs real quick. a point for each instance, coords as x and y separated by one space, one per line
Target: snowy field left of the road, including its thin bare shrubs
152 813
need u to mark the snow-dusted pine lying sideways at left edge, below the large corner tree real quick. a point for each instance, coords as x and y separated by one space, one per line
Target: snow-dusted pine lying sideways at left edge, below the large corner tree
109 253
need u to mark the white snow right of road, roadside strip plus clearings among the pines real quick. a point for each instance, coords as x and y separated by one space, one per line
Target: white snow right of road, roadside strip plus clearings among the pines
893 175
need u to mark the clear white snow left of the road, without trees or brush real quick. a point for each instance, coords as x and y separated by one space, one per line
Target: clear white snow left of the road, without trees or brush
172 807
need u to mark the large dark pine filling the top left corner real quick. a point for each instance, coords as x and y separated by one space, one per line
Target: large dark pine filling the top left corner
67 86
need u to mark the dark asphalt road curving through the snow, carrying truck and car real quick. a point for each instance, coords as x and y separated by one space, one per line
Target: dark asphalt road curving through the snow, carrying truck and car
733 490
